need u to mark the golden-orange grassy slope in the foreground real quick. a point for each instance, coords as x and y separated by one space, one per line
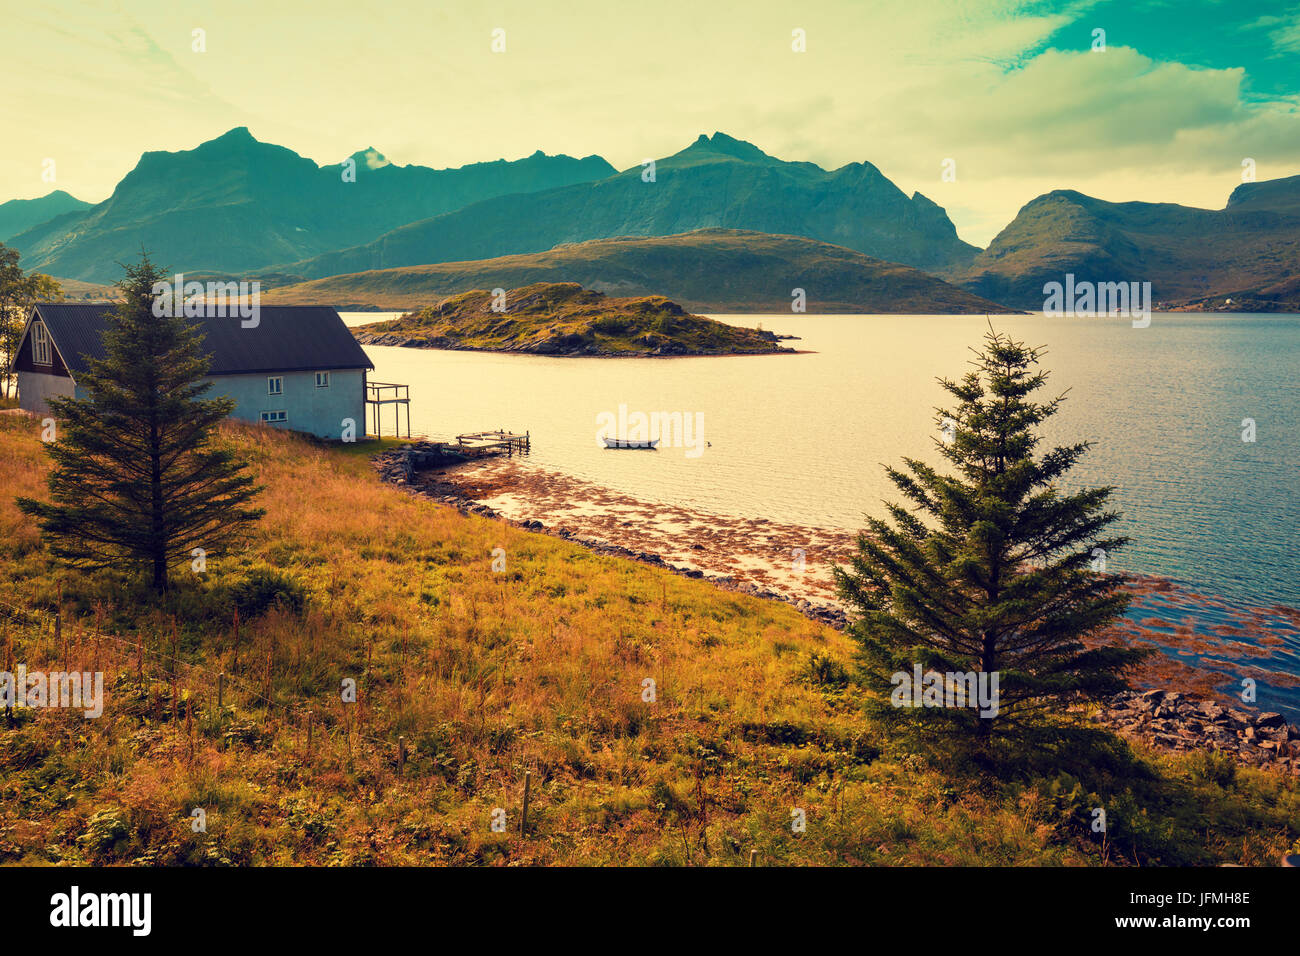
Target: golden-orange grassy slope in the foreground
489 676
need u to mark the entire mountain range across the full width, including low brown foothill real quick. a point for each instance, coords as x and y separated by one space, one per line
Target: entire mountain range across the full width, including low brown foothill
240 207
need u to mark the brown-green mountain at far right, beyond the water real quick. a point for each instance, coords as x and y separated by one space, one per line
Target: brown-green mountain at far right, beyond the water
1250 248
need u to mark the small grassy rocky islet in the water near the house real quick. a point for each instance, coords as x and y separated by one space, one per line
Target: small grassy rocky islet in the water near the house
566 319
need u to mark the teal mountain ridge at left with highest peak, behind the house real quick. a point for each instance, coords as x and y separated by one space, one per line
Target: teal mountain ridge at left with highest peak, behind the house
239 205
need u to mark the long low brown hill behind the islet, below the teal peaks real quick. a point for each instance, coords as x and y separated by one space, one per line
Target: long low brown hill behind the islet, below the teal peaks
707 271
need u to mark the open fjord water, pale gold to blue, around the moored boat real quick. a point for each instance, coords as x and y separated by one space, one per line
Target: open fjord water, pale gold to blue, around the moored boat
803 439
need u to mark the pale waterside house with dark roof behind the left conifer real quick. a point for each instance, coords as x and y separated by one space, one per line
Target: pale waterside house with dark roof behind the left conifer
300 367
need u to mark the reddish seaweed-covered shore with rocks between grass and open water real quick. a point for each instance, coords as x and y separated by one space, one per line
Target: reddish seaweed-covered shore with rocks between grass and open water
1185 697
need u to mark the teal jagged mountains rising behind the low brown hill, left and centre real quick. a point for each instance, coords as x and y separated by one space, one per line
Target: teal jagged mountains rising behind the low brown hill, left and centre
237 205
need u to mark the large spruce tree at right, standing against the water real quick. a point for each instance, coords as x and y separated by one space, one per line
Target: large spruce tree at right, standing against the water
993 569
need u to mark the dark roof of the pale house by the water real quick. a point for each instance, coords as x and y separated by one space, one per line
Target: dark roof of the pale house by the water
288 339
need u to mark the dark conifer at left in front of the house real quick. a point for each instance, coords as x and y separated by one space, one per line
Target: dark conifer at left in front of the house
137 479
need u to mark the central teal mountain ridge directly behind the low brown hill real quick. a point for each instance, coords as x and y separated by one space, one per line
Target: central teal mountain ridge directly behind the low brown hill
716 183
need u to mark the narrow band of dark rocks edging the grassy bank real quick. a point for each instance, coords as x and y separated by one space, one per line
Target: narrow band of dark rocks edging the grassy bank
1160 719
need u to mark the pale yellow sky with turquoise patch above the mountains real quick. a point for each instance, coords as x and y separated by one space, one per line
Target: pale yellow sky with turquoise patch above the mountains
1020 97
